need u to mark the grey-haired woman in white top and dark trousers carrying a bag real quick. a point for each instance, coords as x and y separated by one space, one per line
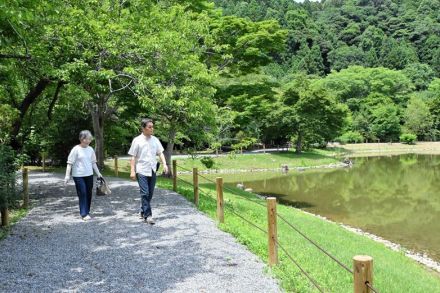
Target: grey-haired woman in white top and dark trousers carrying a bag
81 162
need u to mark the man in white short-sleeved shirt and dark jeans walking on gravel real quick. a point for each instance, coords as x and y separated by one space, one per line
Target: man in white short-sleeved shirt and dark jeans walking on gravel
143 165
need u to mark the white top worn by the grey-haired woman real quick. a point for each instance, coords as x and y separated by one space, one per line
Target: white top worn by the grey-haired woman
82 160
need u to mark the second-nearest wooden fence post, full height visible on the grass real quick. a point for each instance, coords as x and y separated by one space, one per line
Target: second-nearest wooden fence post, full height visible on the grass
272 230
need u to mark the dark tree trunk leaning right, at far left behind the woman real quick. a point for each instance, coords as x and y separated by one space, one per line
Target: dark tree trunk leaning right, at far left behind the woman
30 98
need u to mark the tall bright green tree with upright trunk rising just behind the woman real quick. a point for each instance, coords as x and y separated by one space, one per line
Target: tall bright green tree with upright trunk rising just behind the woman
91 39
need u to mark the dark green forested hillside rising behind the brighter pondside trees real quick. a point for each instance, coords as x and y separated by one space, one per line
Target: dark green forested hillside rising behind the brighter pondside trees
335 34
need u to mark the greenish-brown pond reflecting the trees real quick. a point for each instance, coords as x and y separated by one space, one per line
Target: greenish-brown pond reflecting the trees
395 197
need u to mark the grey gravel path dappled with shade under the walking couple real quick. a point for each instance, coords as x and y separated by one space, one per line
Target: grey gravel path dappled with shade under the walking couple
53 250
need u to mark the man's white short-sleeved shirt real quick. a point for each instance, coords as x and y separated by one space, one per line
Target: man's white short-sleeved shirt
145 149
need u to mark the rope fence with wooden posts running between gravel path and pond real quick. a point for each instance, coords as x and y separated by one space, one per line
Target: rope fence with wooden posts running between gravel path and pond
362 265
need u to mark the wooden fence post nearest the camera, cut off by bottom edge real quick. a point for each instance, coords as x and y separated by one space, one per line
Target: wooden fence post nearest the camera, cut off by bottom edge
362 273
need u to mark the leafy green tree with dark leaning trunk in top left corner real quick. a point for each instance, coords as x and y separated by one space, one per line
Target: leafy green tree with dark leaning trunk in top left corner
25 68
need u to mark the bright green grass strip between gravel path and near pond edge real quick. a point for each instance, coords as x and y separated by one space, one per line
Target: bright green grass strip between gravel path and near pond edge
393 271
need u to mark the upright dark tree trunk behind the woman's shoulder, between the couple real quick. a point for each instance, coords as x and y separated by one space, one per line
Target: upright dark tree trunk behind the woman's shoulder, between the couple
97 110
